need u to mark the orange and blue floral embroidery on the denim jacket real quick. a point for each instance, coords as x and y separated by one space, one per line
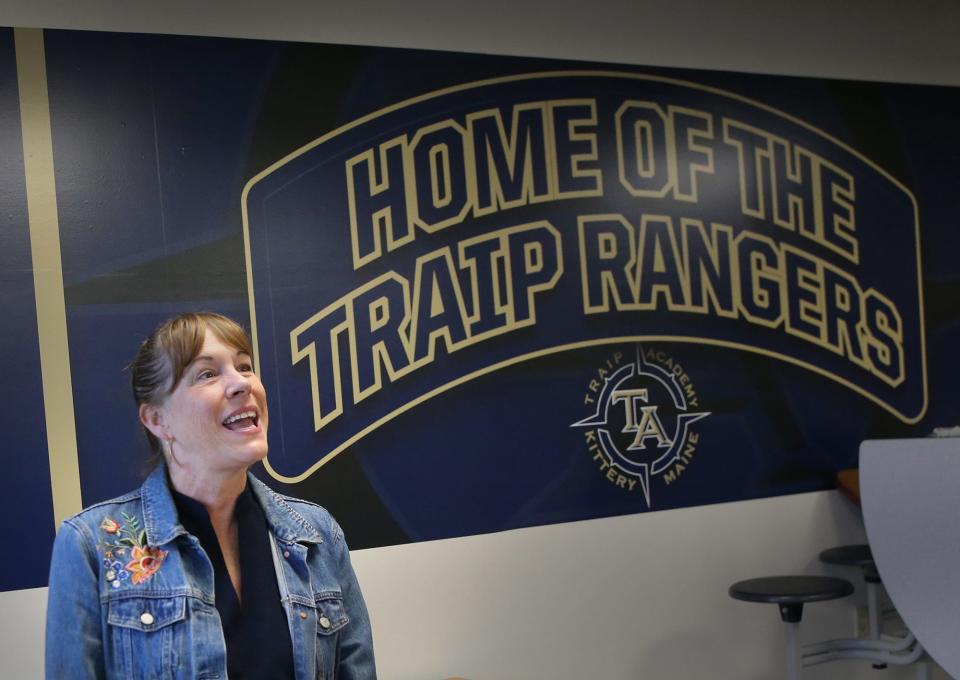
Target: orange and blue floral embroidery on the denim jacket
126 555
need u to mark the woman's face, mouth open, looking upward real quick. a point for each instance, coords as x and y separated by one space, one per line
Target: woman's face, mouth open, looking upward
216 418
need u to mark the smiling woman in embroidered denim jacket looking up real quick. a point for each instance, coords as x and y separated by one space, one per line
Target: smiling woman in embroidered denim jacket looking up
204 572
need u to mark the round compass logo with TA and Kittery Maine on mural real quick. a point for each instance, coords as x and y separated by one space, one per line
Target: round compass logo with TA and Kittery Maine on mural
640 427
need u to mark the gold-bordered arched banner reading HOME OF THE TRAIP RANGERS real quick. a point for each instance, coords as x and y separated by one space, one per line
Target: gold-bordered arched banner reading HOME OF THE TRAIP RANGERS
464 231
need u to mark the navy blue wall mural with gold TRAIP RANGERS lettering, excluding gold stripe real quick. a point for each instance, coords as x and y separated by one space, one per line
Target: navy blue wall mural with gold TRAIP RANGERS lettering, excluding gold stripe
493 292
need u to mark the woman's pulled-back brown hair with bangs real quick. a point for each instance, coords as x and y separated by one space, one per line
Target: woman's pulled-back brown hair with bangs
162 358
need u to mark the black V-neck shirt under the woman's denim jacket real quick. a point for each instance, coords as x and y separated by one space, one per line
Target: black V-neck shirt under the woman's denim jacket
256 633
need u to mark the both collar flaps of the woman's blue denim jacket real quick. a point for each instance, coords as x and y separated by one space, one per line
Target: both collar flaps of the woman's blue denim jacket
162 525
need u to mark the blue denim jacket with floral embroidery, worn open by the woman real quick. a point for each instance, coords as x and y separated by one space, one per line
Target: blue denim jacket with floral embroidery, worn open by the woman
132 593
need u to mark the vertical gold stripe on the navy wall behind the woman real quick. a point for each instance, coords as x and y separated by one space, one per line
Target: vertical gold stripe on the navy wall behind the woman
47 273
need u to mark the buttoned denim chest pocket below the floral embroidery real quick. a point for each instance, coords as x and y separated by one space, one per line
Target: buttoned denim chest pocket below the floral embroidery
144 639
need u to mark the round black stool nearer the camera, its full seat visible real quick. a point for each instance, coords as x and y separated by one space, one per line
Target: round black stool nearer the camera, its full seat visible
790 593
